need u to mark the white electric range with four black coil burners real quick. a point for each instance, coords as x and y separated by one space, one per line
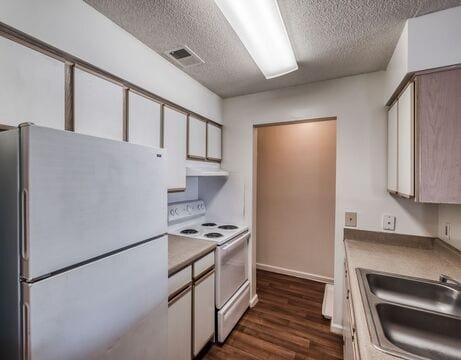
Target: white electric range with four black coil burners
232 290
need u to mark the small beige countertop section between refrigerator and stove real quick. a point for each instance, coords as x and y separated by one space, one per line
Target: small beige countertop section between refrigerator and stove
184 251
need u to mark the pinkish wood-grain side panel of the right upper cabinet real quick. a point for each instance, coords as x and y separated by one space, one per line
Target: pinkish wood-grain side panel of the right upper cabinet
438 107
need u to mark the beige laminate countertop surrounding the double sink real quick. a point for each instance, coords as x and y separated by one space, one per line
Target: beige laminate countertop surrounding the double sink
410 261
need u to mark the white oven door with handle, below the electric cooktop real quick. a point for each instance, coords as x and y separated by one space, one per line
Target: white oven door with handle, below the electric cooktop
231 268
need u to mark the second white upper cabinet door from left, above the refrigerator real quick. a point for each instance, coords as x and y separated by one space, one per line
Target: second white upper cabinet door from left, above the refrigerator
98 106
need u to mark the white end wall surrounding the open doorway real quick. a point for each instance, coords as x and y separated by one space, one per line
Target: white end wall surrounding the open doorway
358 103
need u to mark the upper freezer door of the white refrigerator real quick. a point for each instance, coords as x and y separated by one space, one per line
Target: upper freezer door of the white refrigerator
85 196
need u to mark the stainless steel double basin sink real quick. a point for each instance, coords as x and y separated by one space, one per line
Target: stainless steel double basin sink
412 318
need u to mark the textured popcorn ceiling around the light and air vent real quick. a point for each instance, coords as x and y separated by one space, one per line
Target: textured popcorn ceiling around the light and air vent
331 38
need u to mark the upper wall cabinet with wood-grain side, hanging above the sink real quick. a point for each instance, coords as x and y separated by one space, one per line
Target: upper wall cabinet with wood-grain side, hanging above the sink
424 131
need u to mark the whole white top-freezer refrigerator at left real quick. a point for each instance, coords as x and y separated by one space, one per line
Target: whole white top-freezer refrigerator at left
83 250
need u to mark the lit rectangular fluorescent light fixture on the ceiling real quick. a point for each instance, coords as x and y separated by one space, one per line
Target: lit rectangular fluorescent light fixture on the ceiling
260 27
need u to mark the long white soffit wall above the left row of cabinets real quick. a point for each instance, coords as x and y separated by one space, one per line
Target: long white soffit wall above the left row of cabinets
75 27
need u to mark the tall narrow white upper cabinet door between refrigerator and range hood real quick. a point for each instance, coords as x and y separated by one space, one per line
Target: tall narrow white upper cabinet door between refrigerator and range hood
174 141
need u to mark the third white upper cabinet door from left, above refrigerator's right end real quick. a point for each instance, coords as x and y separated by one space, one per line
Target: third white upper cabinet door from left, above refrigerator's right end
143 120
